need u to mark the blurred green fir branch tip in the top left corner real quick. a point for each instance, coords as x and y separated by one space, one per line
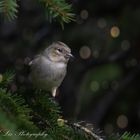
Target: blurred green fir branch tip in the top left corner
8 8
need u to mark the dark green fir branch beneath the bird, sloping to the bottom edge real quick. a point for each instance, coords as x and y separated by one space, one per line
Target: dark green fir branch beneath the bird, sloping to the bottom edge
47 113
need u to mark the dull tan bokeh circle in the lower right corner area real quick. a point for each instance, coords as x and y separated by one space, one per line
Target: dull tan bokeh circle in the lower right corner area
122 121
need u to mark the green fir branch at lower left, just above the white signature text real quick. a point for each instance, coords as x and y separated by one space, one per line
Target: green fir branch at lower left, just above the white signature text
18 112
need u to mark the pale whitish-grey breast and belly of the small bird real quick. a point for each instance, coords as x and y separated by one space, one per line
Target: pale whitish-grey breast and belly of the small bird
47 74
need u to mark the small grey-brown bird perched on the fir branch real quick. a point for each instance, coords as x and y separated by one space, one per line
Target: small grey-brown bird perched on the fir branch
49 68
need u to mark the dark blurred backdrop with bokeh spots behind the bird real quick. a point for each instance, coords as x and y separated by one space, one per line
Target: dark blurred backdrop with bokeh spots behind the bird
102 86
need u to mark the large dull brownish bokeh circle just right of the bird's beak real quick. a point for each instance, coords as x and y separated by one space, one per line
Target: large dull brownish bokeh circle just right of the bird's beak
85 52
